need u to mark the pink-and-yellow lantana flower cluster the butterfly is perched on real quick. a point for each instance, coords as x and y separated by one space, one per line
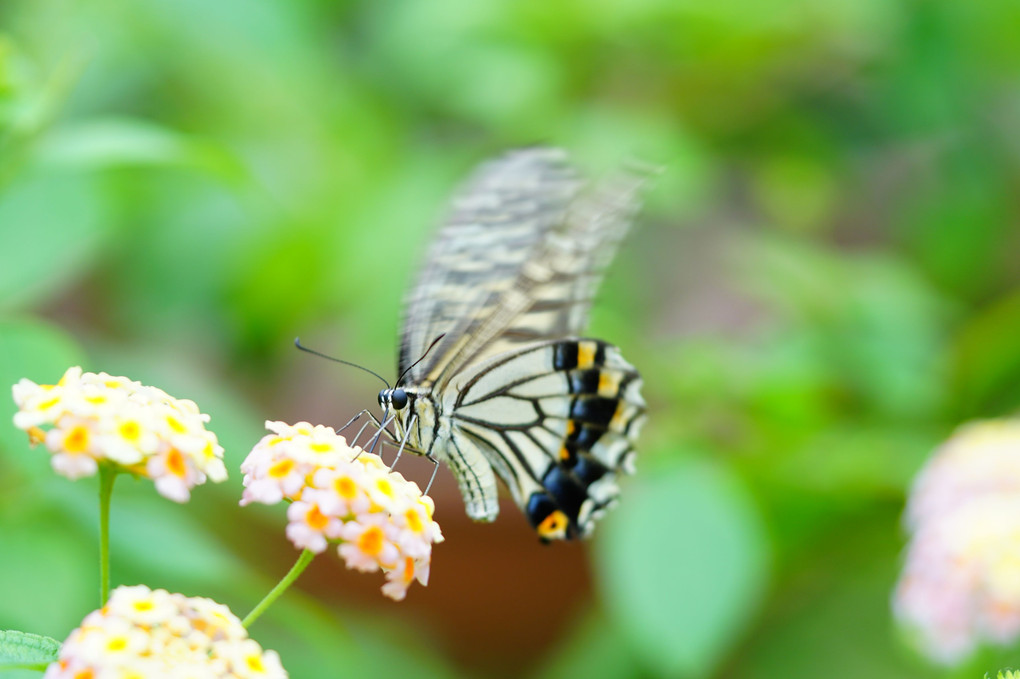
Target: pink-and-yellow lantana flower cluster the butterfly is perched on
346 496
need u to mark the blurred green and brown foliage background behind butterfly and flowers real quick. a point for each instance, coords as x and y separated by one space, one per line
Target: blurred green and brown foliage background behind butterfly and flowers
823 285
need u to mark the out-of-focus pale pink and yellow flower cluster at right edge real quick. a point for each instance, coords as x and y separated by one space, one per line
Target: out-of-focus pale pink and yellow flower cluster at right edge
961 581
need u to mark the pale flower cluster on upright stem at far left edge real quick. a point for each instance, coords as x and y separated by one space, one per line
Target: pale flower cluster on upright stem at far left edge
89 419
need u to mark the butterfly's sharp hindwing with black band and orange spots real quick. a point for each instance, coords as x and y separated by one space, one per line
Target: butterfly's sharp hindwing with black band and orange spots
556 421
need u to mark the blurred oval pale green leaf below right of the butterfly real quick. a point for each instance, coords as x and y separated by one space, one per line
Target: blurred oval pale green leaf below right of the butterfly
683 564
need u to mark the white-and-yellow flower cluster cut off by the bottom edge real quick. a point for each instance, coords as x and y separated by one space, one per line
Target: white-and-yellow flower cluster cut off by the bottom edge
154 634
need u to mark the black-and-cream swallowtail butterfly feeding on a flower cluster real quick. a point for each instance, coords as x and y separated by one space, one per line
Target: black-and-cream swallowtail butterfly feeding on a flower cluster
504 386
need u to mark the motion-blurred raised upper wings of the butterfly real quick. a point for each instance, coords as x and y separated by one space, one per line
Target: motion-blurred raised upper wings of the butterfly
519 260
